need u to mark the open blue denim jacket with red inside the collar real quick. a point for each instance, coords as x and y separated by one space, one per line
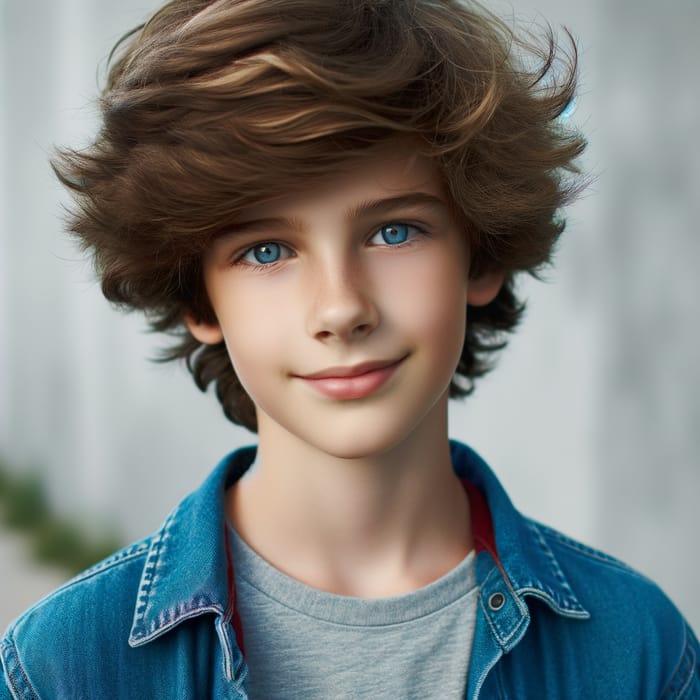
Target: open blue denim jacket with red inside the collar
556 619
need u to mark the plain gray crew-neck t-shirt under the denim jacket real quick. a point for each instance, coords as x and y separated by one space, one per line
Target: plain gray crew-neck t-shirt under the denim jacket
308 644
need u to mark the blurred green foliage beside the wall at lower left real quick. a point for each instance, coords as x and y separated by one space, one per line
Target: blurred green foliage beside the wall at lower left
54 539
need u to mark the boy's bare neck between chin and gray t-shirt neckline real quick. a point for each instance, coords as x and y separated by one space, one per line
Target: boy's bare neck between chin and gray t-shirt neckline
368 526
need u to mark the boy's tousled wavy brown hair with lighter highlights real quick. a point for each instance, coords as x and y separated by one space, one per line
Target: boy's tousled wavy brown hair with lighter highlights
214 105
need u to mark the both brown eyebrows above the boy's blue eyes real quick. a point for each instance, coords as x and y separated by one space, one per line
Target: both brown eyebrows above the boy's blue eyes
362 210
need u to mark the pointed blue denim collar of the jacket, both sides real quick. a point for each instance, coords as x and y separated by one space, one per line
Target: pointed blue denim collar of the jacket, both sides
187 572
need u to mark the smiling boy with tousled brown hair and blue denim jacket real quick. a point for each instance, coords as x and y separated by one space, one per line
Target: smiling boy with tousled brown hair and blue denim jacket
330 201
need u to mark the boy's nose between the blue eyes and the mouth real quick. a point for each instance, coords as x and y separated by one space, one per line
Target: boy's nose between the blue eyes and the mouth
343 307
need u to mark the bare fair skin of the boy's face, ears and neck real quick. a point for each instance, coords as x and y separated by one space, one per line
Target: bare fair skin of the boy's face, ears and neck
354 491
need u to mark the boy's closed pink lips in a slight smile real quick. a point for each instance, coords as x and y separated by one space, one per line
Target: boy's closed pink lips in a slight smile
345 383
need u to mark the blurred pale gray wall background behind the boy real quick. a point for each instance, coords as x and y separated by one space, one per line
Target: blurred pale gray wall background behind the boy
592 418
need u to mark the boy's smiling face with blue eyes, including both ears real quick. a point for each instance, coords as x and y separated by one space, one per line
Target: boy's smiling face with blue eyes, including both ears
343 309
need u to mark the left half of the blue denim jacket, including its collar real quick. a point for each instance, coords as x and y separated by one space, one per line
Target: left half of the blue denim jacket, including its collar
158 603
